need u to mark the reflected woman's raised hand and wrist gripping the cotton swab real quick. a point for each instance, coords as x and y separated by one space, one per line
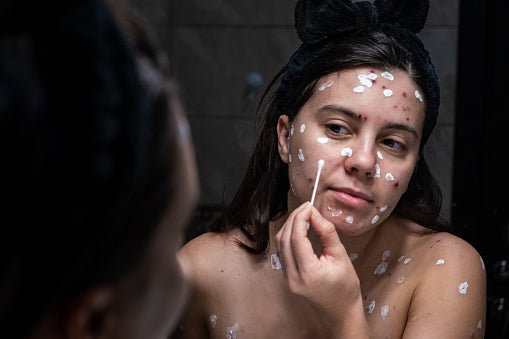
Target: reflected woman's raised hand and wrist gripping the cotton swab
329 282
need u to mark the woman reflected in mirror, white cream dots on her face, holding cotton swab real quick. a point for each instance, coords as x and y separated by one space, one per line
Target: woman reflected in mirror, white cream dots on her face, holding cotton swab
359 97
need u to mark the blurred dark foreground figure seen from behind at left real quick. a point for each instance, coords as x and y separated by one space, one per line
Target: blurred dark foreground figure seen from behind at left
99 175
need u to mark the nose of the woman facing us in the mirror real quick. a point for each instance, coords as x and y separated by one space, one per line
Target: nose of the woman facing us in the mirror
361 159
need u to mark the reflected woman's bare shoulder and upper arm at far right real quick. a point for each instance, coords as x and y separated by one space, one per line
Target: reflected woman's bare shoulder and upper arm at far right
451 289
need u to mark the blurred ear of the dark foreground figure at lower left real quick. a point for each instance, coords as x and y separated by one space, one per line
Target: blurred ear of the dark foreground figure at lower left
87 316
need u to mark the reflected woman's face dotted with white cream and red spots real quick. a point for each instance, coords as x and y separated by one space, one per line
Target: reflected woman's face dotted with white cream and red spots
366 124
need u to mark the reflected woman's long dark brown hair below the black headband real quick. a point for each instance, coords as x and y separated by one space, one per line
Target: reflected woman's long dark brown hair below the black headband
262 194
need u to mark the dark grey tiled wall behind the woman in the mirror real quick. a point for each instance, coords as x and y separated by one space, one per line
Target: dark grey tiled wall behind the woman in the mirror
215 44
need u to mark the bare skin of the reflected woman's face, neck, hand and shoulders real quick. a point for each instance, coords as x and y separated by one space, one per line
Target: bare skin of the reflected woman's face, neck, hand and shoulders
399 281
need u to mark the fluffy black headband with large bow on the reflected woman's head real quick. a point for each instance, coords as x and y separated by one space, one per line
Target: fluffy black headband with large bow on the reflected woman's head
322 24
